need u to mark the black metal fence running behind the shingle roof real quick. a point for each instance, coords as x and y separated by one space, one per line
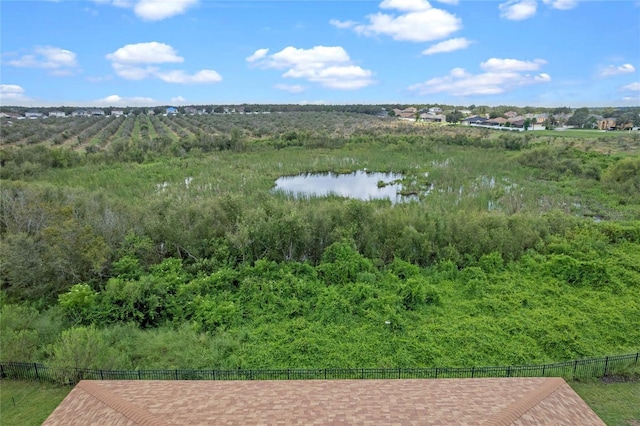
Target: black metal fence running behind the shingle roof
583 368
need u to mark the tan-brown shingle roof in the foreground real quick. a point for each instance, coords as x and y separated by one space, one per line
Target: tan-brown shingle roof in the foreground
495 401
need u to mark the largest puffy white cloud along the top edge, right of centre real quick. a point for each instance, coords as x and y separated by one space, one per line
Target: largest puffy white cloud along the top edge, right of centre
413 20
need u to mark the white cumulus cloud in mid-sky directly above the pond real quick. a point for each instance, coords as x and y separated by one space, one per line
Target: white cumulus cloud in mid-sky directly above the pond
329 66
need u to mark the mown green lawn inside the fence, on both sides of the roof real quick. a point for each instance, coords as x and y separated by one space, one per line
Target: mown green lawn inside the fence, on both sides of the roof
30 403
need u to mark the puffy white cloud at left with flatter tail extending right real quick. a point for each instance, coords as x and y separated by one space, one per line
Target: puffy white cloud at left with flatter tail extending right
142 60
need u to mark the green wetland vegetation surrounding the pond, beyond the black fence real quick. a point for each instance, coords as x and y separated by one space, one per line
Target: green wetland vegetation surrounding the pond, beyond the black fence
159 242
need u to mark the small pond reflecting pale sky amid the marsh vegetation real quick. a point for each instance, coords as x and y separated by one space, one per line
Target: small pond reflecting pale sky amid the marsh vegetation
360 185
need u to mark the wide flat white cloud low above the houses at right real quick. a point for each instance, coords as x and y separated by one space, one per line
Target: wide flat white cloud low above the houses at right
501 76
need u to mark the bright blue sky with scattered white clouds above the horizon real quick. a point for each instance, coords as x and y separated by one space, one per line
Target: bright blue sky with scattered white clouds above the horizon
461 52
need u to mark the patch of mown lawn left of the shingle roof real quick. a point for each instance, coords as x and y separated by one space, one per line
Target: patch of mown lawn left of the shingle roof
28 403
